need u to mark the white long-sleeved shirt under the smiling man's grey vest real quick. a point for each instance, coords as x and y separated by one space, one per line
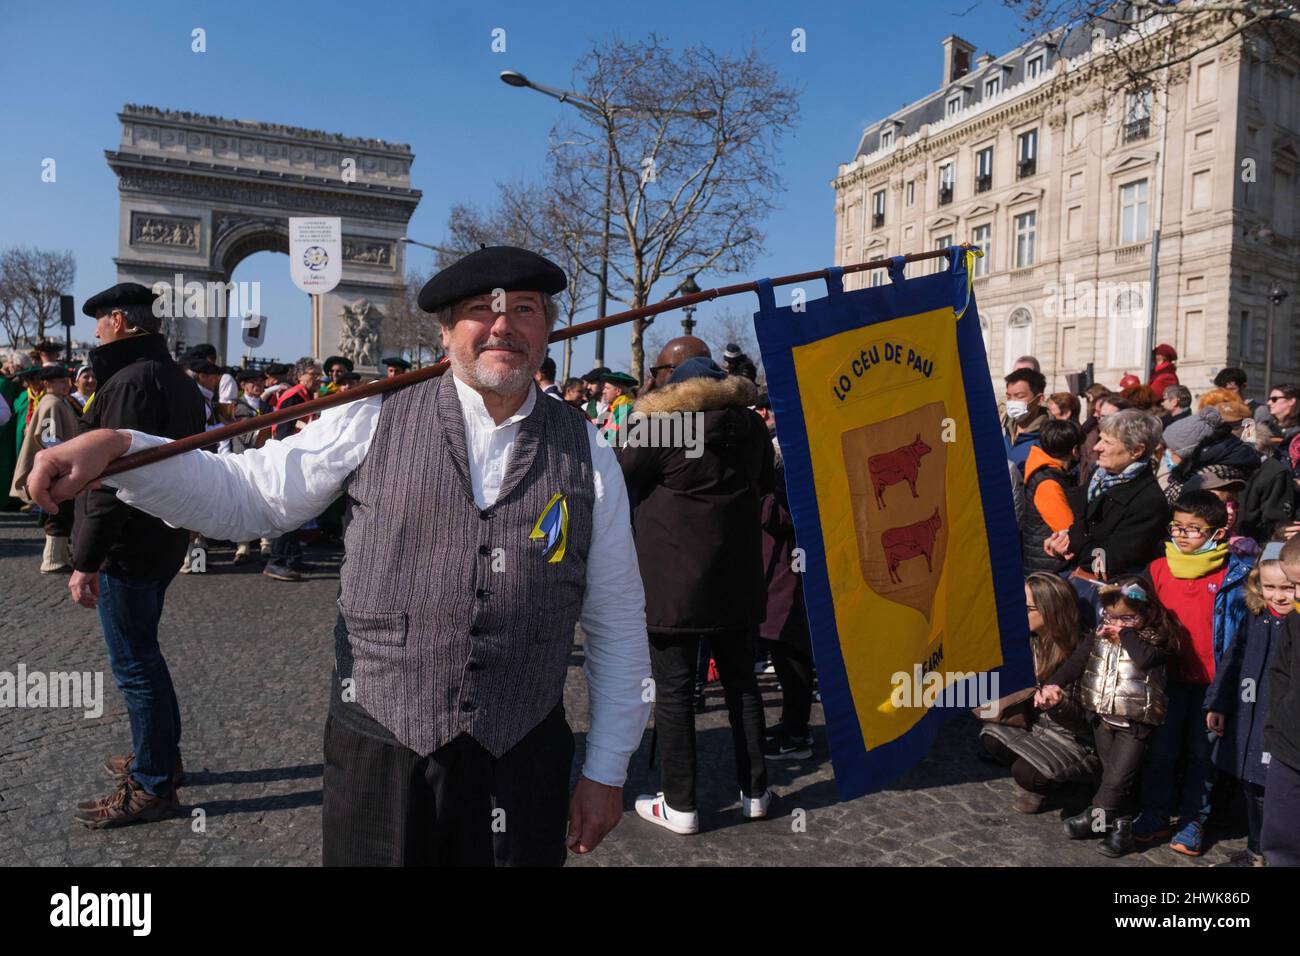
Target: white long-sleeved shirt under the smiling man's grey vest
270 491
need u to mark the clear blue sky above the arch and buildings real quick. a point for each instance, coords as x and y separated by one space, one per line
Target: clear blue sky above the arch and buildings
423 73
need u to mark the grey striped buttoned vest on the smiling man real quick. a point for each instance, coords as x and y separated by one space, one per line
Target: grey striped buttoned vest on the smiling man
452 620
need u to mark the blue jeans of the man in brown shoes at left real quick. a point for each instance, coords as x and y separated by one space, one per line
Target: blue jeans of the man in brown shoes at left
129 613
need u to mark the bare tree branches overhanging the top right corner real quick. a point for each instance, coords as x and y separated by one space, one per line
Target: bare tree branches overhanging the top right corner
1147 37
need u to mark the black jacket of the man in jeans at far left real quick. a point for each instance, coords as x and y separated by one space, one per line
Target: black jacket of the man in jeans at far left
140 388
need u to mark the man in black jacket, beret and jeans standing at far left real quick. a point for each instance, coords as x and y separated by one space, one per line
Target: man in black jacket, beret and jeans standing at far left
124 559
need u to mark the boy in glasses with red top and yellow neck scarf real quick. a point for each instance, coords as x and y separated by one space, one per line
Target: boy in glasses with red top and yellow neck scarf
1202 585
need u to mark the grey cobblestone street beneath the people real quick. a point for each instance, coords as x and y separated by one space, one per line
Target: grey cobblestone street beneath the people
252 661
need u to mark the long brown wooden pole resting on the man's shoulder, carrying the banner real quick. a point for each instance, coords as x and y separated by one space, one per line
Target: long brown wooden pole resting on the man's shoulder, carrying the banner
419 375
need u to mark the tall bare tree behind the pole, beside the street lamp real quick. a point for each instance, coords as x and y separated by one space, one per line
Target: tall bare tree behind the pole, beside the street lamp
687 144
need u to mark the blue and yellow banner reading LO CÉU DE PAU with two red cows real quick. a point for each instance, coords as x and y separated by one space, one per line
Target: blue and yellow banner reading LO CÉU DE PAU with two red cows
902 498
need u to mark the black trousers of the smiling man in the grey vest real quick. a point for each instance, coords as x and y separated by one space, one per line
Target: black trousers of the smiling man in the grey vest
387 806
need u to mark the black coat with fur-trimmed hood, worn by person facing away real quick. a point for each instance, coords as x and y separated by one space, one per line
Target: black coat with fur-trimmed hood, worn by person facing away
697 520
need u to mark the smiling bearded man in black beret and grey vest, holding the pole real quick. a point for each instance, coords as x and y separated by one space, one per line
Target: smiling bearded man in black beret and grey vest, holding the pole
486 522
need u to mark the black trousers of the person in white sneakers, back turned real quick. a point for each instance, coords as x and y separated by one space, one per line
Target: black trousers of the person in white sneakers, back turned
673 663
